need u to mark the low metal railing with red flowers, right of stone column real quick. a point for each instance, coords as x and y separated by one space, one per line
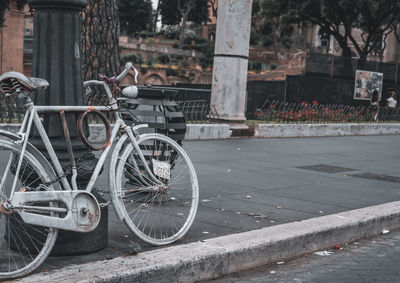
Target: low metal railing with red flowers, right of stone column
283 112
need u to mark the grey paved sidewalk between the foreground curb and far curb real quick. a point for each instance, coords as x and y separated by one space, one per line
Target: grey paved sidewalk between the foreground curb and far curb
249 184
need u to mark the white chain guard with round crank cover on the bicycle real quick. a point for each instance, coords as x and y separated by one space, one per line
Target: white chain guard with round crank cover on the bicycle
79 212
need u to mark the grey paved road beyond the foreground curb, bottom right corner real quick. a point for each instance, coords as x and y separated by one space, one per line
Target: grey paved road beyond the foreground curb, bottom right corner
372 260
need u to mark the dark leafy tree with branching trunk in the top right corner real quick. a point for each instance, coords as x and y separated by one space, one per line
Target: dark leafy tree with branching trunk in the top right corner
375 18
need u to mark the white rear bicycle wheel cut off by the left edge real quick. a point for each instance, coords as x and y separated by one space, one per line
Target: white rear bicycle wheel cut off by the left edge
23 247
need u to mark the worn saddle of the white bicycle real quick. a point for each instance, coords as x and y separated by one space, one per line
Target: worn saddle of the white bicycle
9 82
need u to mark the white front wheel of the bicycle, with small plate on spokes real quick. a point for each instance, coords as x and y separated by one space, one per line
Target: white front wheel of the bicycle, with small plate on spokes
159 207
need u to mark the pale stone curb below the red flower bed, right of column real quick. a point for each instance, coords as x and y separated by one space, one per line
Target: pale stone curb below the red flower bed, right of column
324 130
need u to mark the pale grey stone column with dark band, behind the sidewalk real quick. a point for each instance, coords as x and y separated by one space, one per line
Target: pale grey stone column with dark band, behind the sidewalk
231 59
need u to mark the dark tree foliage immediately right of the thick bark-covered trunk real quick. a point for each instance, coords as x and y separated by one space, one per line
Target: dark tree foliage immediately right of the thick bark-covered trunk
135 15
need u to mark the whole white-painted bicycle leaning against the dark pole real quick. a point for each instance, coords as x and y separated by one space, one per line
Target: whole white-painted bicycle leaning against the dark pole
153 184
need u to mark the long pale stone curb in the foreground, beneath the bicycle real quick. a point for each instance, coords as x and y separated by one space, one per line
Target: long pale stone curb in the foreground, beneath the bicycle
219 256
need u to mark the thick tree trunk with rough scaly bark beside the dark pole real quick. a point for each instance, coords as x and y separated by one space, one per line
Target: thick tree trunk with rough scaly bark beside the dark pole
100 36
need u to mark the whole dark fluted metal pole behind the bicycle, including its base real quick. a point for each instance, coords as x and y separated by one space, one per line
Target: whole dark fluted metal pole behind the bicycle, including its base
57 58
